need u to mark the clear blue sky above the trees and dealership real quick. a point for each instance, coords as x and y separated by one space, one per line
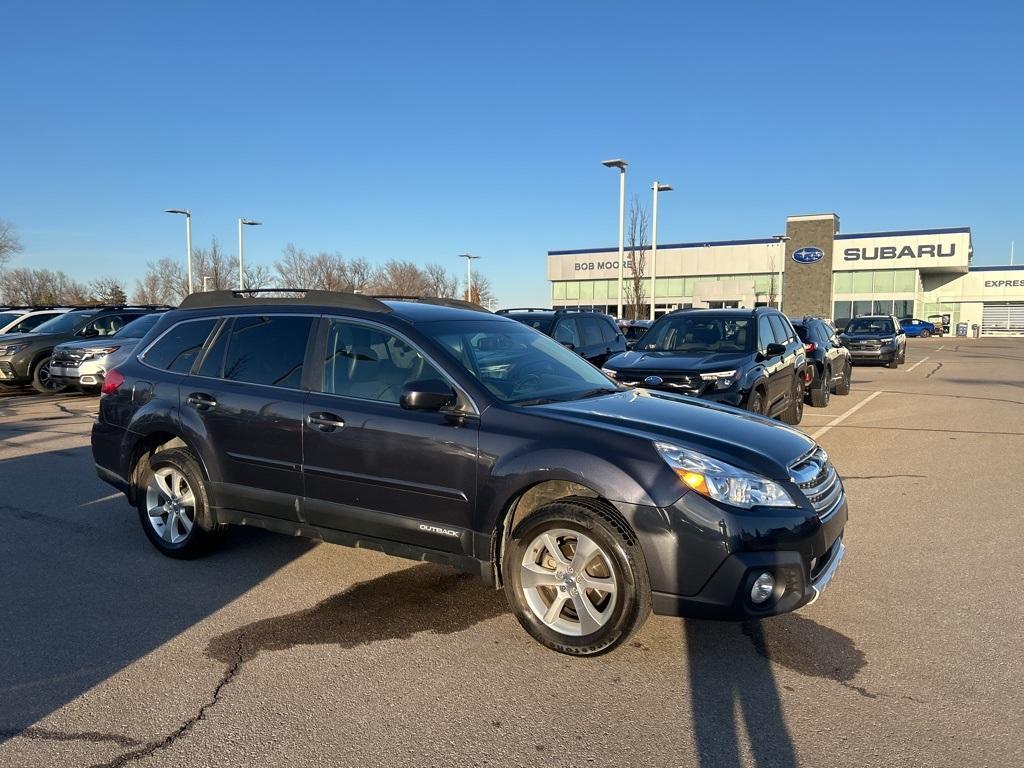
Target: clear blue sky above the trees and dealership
424 131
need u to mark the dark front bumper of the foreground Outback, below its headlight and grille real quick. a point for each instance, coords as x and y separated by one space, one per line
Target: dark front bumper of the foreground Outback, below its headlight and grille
705 565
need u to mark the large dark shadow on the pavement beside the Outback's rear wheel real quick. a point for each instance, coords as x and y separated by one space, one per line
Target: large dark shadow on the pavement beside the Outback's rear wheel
83 592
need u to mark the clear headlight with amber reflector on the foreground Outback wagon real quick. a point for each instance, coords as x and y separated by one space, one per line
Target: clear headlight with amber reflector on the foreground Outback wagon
722 482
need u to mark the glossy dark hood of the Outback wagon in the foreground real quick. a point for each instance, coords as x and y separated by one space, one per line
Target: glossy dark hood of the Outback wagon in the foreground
743 440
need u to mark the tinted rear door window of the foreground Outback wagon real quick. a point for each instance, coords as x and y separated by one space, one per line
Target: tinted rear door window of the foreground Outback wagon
268 350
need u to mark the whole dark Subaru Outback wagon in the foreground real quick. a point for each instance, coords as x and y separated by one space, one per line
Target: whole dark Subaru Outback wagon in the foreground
441 432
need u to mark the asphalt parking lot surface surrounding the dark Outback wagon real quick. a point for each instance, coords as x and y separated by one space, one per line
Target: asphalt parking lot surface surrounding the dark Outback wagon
281 652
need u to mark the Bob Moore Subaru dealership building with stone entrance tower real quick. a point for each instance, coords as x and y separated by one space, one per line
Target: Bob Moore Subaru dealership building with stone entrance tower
815 270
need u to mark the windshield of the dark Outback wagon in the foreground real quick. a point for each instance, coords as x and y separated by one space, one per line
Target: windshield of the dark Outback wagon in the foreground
518 365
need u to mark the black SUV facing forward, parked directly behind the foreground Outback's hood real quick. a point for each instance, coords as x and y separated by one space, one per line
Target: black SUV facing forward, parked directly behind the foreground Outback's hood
748 359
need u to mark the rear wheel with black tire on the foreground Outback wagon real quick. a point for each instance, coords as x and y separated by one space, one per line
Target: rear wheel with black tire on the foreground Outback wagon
204 535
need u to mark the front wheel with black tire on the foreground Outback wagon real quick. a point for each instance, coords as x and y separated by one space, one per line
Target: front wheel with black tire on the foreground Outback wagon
626 609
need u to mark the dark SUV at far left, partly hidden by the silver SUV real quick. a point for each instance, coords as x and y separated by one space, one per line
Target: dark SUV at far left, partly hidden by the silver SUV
25 359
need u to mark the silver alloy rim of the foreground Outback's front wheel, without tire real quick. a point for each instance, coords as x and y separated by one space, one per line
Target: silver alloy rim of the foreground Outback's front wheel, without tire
569 583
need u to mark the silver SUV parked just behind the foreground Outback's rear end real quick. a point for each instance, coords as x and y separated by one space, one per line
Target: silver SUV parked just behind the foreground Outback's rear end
82 364
